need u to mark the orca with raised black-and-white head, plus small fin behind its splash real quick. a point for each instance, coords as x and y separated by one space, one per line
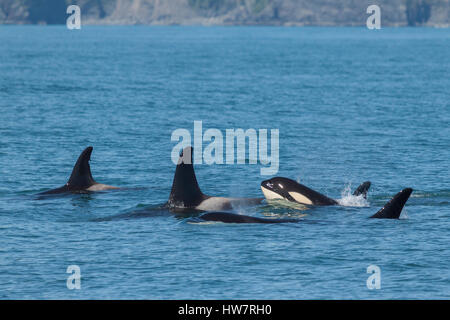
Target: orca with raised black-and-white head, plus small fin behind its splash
288 189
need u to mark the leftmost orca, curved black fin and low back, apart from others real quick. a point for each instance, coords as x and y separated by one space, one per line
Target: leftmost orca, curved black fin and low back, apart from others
81 180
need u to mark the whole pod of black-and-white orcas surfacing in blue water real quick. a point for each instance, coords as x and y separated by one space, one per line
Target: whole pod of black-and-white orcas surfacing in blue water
186 193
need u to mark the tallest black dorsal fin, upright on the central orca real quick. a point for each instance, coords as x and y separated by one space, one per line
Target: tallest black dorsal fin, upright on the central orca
185 190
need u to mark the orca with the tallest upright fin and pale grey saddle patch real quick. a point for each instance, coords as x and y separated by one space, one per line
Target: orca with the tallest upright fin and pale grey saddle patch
186 193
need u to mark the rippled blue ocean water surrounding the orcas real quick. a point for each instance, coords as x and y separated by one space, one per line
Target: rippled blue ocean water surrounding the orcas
350 104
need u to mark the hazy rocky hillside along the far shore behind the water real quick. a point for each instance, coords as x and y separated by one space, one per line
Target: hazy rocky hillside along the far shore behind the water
228 12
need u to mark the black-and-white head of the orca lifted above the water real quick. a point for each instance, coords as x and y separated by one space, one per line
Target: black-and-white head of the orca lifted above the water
279 188
